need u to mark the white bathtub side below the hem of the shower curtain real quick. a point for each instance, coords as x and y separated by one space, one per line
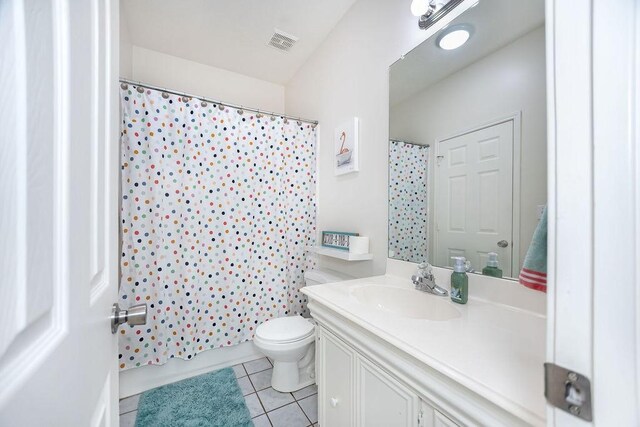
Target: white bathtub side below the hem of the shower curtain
137 380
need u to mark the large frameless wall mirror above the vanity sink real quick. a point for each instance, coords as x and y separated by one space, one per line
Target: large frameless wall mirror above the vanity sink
467 143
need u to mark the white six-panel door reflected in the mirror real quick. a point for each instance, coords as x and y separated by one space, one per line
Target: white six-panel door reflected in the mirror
474 197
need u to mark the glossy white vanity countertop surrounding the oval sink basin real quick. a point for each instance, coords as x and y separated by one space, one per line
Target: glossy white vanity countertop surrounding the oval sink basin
493 349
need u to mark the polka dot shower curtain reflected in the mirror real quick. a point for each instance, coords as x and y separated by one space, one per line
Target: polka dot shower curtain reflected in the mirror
408 199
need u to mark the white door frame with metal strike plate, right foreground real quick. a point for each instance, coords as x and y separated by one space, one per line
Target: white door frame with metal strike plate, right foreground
593 299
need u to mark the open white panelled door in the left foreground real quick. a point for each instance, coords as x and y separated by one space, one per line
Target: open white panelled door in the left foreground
58 192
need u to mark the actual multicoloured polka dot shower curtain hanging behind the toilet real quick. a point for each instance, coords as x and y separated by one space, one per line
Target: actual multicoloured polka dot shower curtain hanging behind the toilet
218 206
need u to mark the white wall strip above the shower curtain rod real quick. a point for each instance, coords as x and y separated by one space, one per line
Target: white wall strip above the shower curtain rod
168 71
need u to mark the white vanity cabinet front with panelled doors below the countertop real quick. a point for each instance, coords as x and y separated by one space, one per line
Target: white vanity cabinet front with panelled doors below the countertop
355 391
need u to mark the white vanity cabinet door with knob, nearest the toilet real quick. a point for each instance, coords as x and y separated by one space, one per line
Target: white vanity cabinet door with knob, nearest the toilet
335 382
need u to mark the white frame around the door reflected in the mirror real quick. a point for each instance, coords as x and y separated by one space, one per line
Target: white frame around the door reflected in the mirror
516 118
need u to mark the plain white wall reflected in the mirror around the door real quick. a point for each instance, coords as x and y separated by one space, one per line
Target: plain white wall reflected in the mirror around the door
509 80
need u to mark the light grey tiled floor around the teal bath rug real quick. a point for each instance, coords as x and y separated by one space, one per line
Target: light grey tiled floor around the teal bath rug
268 407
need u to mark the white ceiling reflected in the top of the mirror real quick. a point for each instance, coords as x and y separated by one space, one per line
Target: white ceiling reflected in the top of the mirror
496 23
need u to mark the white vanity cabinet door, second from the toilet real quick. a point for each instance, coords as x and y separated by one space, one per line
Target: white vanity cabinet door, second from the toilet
383 401
